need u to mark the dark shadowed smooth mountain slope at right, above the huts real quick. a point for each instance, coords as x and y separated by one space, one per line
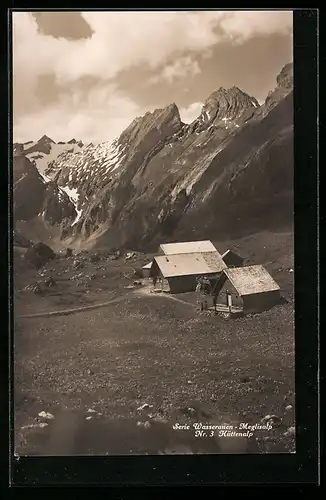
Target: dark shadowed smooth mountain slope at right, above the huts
249 184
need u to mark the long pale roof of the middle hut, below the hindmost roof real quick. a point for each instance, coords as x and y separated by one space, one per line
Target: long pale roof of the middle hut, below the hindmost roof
187 264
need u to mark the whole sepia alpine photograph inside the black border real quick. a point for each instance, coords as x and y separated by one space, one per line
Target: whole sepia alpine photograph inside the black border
153 232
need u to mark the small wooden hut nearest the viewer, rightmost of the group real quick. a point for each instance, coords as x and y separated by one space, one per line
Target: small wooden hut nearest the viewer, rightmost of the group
250 287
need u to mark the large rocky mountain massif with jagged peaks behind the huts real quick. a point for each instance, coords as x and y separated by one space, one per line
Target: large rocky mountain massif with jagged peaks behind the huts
229 171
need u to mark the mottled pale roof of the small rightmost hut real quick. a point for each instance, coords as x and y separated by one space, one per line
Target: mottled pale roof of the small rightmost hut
248 280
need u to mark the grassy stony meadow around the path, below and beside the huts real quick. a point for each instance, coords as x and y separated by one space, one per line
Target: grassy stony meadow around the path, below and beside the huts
116 379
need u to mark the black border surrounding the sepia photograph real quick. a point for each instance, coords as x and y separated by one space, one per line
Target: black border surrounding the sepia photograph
301 468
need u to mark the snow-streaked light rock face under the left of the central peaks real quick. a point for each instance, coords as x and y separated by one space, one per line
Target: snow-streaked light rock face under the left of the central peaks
102 175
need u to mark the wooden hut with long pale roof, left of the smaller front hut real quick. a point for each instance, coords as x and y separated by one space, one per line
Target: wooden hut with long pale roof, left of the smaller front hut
181 271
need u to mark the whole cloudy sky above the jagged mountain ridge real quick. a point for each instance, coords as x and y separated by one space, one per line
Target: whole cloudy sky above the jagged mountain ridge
87 75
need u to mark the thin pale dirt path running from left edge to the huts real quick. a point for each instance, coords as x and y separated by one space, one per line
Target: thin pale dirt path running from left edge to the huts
131 295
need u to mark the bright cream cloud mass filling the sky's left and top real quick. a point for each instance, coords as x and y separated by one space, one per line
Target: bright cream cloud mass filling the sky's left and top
165 42
